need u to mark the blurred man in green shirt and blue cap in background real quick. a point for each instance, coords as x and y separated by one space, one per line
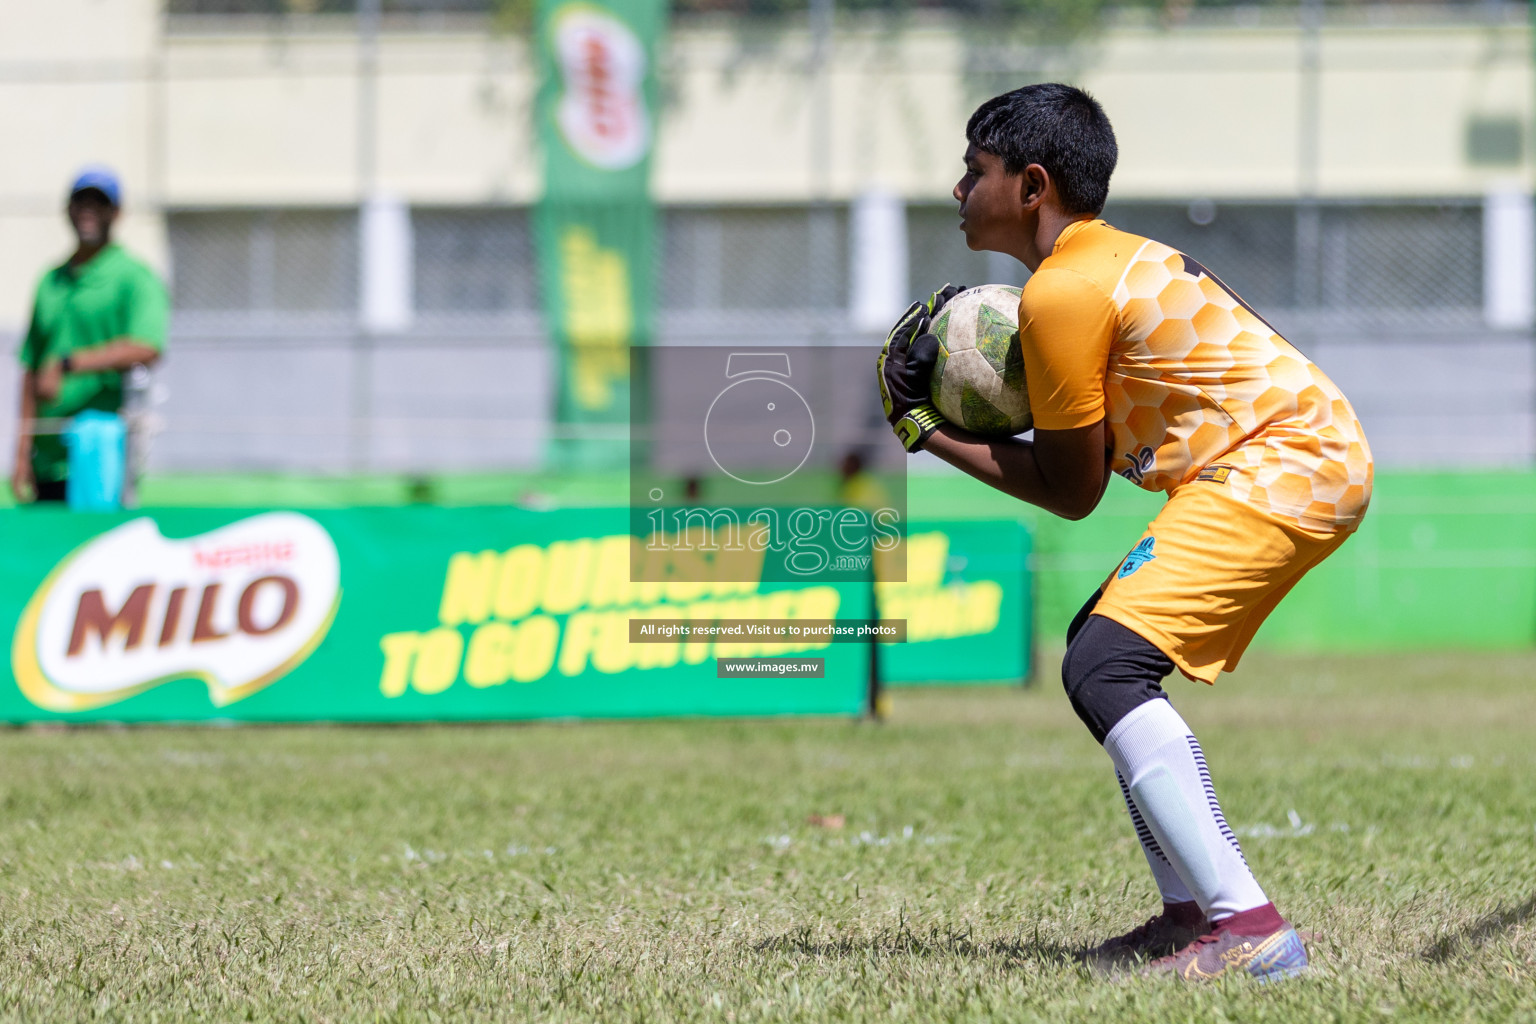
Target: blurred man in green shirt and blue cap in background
94 317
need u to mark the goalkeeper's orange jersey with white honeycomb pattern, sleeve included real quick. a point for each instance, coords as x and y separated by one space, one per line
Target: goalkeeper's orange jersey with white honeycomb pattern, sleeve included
1194 385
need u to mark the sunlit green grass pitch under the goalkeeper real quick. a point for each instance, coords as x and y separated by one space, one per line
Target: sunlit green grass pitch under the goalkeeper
667 871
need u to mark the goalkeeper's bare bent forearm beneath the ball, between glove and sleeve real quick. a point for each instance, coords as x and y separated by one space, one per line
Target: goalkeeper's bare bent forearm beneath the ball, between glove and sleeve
1064 472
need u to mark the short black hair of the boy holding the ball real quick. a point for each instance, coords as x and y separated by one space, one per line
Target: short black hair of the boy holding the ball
1061 128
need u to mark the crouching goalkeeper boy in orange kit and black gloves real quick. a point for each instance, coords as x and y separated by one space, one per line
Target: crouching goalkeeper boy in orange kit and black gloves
1144 363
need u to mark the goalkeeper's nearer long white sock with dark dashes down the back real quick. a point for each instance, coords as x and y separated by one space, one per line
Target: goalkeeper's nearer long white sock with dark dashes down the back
1167 776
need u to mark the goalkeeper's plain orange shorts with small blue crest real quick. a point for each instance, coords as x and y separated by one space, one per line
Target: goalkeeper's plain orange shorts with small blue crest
1207 575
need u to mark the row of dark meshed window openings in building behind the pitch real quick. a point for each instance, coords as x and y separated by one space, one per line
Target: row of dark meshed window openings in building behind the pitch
1417 265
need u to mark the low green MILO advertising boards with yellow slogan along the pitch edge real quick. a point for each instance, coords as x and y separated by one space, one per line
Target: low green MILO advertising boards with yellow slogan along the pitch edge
457 615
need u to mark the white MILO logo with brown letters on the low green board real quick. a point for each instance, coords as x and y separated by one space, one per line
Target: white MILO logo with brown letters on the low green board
236 610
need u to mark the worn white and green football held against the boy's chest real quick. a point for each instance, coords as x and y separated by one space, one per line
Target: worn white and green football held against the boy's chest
979 380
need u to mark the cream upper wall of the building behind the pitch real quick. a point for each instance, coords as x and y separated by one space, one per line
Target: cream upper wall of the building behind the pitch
254 119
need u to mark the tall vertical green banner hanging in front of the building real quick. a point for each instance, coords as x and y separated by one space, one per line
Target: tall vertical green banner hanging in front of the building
595 226
